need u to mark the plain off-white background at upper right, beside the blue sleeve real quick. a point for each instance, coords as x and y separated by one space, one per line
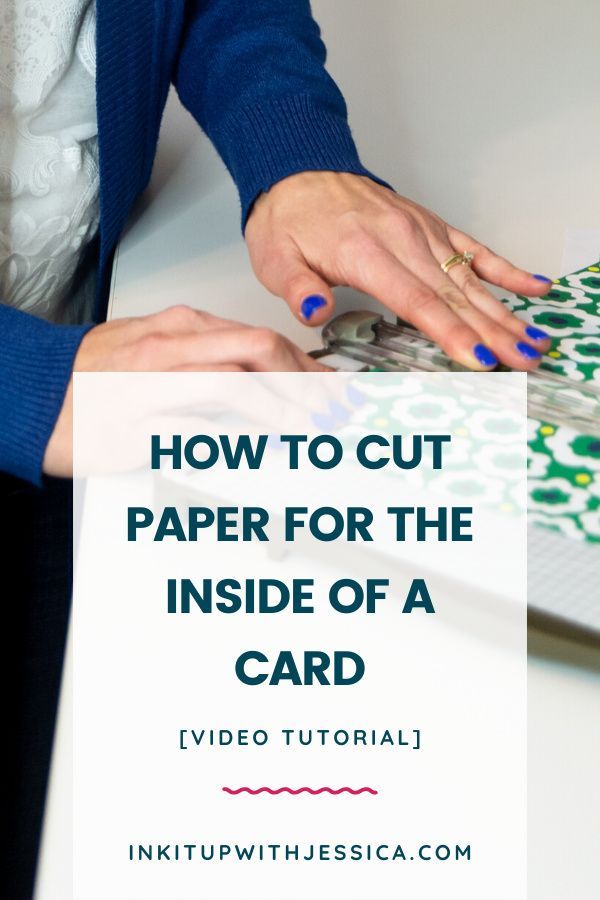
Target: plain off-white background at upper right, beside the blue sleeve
485 110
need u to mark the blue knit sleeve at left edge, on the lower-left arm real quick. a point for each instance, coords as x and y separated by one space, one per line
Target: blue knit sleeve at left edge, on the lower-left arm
36 360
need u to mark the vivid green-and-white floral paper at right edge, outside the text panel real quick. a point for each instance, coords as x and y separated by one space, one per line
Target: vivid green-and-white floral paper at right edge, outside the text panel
564 465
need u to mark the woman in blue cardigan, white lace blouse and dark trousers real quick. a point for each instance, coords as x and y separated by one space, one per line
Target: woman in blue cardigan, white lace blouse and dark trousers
82 89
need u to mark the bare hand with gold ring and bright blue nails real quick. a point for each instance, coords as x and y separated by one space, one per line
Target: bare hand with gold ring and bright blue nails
315 230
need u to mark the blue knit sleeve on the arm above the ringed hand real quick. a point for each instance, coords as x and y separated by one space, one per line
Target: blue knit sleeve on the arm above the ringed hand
253 75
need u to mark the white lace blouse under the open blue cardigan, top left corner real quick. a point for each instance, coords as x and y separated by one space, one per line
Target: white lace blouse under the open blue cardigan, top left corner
49 177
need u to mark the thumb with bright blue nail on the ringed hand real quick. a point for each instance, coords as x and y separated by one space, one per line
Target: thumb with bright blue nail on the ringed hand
307 294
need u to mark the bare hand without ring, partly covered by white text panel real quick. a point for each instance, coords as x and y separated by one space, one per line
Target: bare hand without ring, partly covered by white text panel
178 339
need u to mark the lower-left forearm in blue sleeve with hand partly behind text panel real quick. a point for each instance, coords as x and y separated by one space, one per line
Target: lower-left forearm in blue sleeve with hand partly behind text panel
37 360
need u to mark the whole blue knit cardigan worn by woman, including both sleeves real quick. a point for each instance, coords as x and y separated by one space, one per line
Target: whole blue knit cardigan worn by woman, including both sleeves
252 74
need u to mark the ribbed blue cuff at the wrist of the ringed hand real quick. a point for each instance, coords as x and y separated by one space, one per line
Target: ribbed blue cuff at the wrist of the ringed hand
263 144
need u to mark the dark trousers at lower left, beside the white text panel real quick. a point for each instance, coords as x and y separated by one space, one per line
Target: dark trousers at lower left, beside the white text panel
36 593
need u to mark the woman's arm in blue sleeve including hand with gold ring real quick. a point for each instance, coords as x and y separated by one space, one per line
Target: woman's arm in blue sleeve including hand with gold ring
253 75
